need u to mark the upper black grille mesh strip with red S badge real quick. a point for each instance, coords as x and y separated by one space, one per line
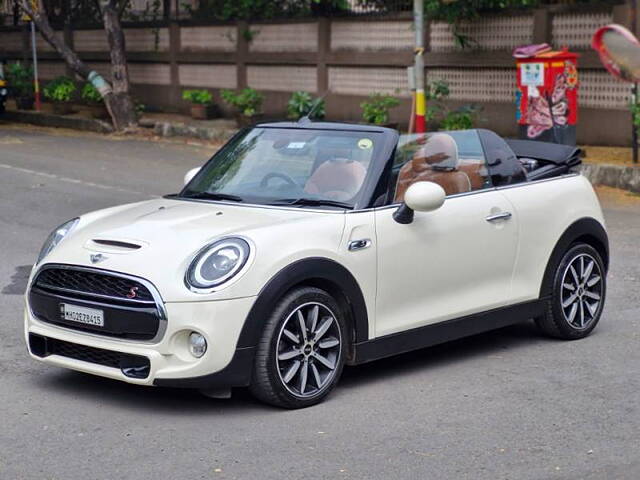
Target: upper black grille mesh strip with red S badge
92 283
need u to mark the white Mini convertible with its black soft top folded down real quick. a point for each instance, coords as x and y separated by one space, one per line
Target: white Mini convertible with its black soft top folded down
299 248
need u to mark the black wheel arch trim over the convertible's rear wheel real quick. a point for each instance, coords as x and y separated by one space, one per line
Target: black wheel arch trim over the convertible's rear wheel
587 230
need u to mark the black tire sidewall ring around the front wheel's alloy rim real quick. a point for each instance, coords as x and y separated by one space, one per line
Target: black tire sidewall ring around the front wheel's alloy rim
281 313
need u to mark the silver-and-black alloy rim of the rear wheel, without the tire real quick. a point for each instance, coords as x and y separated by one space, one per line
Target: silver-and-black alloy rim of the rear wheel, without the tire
581 291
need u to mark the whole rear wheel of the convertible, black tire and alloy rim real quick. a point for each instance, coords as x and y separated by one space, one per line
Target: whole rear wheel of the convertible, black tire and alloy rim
578 294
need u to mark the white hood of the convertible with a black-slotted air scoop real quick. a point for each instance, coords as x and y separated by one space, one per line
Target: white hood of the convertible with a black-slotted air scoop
157 239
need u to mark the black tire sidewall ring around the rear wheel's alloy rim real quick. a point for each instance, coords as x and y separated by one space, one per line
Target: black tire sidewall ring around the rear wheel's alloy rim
567 330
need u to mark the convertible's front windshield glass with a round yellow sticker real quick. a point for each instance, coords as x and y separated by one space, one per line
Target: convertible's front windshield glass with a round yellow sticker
280 166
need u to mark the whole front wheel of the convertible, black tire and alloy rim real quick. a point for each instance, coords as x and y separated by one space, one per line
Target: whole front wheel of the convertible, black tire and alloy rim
283 356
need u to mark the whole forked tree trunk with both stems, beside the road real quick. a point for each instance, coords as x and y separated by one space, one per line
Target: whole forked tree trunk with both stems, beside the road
116 99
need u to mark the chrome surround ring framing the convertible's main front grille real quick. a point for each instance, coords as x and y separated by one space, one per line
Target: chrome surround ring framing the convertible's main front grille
159 302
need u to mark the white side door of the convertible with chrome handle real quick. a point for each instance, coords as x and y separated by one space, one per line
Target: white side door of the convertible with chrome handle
448 263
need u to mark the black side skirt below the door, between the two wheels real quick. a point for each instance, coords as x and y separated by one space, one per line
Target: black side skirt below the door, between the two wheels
446 331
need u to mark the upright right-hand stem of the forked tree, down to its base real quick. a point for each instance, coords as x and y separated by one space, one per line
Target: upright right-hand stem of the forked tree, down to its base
121 104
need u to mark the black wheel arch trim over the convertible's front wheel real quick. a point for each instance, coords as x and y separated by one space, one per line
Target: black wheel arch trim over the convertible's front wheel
319 272
